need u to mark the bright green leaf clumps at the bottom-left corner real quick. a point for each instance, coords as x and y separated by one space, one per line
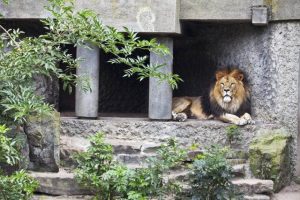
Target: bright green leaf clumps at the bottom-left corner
19 185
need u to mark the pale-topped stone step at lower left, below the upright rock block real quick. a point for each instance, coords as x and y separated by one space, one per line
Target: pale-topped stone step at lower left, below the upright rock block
61 183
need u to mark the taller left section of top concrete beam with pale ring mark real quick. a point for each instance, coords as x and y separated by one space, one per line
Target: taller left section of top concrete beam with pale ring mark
138 15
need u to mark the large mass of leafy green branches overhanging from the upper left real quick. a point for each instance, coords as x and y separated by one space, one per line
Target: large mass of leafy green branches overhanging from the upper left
23 58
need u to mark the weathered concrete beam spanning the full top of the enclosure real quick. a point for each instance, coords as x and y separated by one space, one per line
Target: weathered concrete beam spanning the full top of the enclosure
158 16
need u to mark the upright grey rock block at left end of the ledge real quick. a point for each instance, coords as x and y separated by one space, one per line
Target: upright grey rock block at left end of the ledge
43 134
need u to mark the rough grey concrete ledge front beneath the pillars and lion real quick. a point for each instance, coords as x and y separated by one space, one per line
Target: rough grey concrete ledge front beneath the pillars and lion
204 133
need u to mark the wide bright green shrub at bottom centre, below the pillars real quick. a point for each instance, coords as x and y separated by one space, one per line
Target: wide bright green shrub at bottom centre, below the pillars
98 171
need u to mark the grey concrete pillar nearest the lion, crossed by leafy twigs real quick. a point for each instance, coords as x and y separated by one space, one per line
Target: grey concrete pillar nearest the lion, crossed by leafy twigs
160 93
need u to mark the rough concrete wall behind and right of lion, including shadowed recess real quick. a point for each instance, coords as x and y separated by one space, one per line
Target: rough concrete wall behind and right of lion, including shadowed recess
269 55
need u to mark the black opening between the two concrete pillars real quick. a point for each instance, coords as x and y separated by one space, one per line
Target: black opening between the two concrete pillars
120 95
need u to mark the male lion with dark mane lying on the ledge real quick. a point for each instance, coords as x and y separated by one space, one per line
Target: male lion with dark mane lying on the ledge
228 100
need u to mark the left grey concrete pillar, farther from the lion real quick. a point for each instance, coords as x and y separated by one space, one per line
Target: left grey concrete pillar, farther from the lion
86 103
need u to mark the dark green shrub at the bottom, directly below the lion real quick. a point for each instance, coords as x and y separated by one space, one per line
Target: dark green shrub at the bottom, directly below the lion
211 174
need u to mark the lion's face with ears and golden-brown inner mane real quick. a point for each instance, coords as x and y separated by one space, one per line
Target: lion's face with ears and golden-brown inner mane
229 90
